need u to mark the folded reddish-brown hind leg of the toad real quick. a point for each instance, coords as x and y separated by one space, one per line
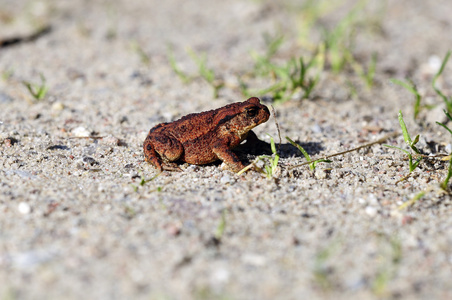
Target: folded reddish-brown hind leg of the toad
160 150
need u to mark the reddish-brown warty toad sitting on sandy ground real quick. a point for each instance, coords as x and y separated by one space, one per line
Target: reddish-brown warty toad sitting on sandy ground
205 137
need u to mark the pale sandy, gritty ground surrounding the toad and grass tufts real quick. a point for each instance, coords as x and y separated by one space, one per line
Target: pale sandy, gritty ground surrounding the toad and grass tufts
76 223
